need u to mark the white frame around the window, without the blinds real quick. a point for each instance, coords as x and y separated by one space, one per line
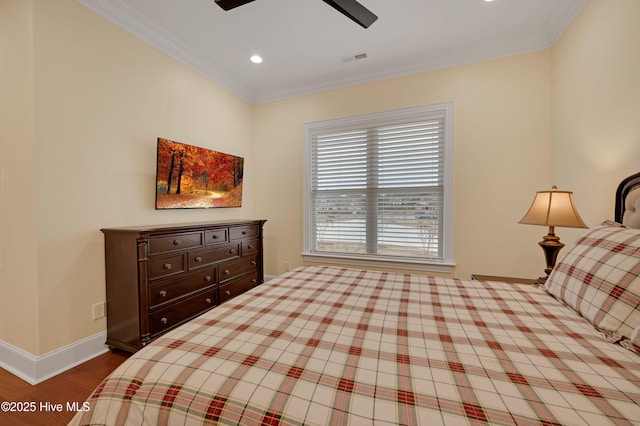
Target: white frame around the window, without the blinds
445 264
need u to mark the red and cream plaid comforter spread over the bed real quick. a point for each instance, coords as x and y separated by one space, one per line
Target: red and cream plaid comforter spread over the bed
332 346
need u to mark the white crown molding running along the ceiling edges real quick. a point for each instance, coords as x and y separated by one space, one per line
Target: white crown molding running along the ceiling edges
121 14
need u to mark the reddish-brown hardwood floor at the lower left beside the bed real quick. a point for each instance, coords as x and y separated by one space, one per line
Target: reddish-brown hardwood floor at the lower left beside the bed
74 385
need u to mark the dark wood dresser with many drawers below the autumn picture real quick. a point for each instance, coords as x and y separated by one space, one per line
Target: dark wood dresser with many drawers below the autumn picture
159 277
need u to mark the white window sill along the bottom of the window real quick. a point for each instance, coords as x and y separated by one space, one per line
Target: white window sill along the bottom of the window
393 263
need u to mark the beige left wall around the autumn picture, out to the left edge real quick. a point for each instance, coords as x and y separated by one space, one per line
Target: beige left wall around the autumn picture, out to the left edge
102 97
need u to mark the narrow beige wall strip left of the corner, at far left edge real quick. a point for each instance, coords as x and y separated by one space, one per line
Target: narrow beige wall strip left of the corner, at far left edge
18 256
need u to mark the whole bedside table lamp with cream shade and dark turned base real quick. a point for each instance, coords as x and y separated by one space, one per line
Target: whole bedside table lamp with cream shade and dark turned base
552 208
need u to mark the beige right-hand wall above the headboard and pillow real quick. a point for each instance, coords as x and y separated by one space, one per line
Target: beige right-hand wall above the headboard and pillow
596 105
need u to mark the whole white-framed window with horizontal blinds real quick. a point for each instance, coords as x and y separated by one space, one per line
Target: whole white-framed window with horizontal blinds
378 189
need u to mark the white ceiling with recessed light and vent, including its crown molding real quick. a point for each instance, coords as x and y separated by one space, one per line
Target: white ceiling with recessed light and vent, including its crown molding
304 43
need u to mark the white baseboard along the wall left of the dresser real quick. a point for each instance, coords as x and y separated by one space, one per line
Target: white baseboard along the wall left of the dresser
35 369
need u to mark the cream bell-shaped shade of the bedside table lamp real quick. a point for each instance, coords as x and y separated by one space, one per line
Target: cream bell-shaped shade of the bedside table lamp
553 208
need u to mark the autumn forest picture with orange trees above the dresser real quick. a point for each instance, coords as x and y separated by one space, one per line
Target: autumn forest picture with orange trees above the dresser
190 177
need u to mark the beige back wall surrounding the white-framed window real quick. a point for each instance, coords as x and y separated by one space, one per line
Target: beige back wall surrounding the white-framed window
501 157
